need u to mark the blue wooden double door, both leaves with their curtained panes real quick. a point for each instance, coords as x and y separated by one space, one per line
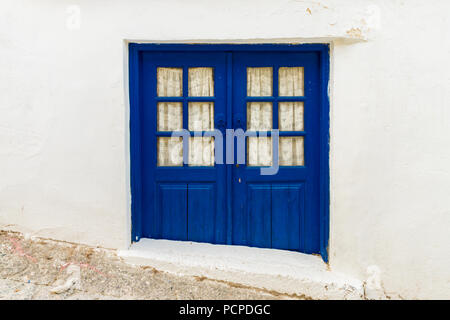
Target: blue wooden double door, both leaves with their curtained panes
198 93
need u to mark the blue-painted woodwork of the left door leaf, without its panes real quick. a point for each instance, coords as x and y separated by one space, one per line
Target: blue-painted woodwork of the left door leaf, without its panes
198 193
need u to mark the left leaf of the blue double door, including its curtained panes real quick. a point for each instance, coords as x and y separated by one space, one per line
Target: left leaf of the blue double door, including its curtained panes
182 200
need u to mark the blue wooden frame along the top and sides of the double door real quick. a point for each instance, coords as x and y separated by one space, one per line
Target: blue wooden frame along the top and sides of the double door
134 50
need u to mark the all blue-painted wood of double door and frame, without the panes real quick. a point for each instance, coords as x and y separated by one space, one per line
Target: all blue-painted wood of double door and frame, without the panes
208 204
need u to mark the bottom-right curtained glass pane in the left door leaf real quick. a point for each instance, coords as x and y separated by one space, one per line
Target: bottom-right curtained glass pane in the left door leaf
201 151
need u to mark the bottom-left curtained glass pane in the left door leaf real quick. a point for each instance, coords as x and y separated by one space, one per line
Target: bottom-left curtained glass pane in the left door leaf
170 151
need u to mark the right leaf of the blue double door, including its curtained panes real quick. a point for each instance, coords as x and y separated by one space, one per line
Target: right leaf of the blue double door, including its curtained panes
277 91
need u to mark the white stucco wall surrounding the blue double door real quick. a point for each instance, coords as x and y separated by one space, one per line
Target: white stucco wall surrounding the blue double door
64 167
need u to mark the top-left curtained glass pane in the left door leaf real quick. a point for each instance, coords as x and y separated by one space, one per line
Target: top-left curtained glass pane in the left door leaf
170 82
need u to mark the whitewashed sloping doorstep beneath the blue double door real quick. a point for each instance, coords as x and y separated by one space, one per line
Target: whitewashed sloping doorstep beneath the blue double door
286 272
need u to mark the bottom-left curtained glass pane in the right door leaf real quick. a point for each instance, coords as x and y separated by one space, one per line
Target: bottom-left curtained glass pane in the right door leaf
259 151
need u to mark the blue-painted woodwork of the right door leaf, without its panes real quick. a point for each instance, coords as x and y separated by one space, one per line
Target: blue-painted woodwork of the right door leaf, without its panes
258 205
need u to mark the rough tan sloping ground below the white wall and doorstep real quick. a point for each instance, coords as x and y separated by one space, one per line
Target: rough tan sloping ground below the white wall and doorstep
44 269
